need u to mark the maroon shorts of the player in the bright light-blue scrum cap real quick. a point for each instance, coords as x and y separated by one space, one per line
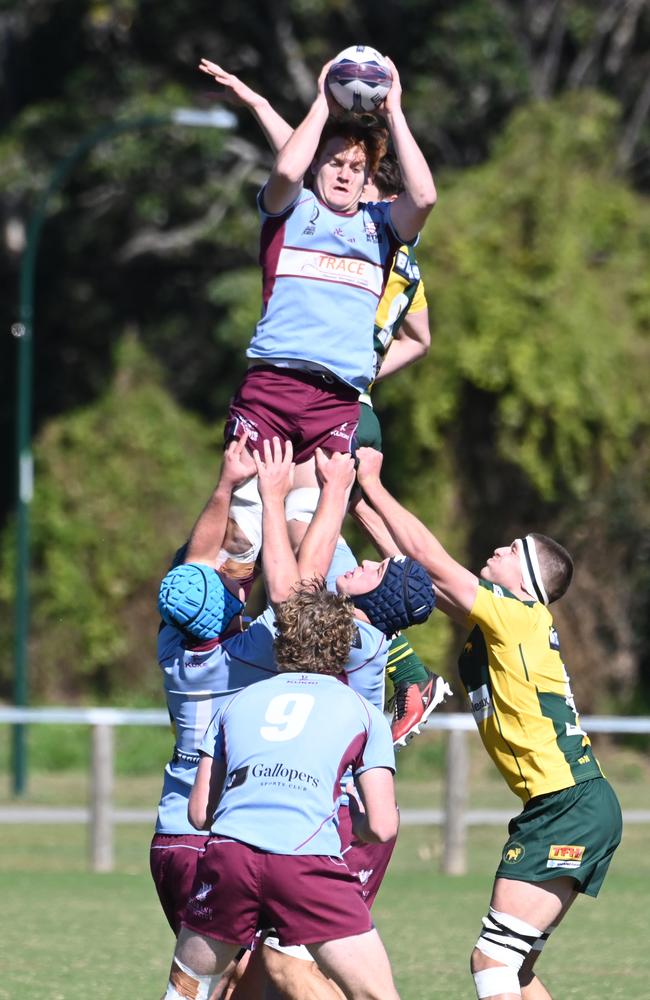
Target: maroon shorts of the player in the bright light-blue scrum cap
173 859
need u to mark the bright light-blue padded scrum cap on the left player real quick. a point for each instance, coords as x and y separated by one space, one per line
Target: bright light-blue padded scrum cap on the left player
193 598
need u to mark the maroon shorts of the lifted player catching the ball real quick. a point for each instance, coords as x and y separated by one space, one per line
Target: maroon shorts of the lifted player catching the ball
310 410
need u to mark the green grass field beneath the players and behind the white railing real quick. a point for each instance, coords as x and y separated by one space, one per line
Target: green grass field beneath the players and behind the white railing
67 934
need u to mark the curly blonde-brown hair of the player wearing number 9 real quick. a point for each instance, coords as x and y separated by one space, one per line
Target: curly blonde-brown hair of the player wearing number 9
314 630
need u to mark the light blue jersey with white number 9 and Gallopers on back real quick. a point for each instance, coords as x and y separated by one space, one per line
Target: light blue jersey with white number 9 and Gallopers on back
286 743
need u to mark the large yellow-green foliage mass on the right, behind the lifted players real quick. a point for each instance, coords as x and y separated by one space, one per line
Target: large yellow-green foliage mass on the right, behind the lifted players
536 272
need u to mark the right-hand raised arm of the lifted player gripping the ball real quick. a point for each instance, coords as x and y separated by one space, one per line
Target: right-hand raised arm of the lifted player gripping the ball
410 209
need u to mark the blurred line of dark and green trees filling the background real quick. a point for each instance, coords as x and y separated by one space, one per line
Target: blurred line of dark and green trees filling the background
529 412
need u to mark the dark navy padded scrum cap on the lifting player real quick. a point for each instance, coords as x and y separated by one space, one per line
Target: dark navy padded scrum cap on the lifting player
404 597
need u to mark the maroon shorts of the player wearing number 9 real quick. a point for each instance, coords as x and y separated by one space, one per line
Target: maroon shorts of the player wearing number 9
306 898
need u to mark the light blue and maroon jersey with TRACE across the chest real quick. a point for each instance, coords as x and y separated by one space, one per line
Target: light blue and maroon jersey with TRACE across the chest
323 274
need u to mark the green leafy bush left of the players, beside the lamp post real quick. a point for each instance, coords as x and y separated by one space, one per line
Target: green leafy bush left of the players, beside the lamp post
118 486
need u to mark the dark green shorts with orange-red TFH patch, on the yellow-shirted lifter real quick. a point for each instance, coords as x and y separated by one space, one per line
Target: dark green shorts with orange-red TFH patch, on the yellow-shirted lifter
573 832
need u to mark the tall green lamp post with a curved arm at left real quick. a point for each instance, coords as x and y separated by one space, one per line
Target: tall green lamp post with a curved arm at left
24 332
